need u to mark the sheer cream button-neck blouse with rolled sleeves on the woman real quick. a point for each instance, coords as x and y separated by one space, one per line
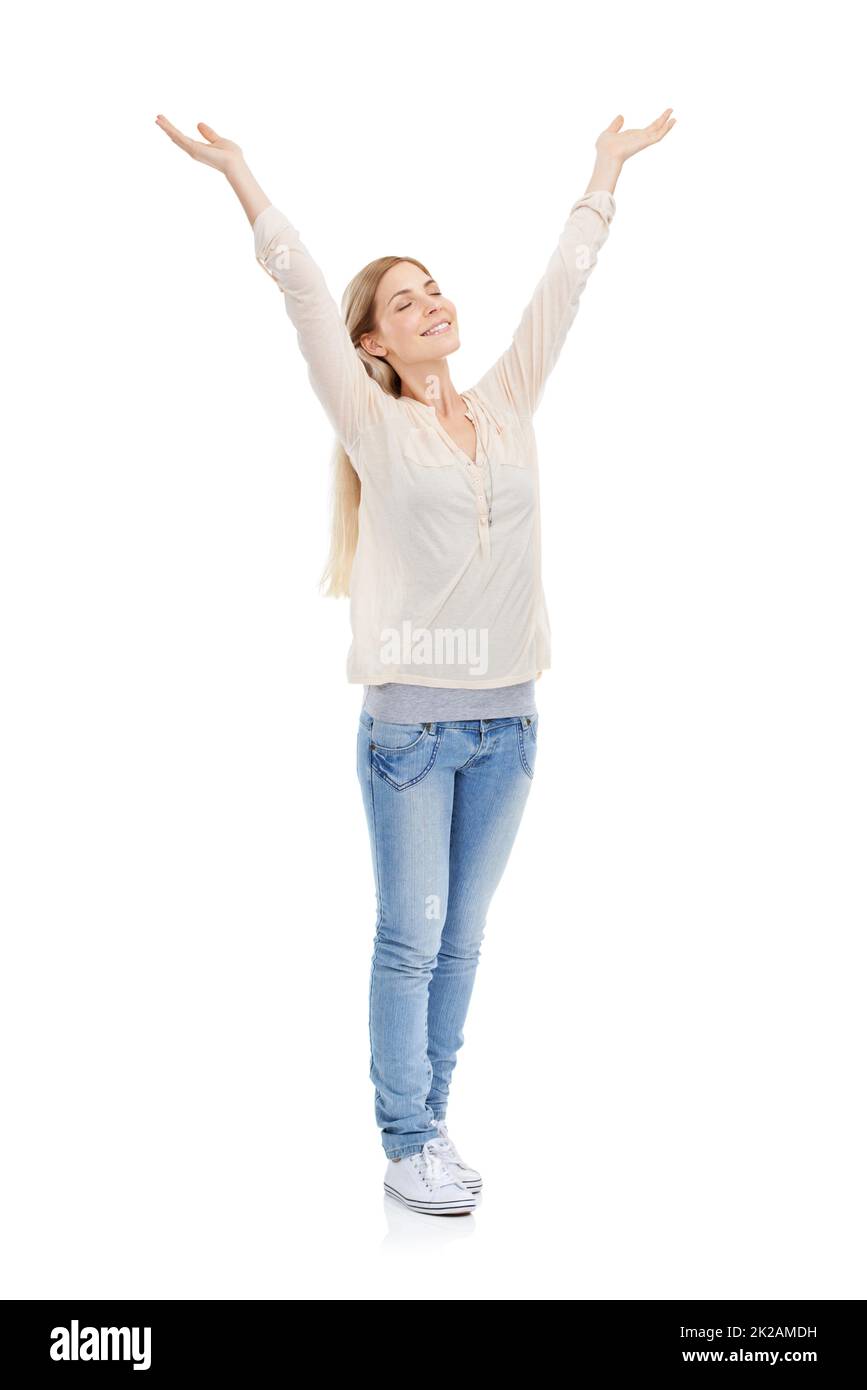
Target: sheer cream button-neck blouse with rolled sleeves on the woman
447 582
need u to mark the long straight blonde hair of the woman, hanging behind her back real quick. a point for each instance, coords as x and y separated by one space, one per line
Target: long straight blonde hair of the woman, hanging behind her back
358 308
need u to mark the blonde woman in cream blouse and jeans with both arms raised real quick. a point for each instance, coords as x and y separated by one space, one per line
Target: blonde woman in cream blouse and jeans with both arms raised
437 541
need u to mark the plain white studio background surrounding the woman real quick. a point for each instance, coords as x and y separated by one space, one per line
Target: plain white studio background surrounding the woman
663 1075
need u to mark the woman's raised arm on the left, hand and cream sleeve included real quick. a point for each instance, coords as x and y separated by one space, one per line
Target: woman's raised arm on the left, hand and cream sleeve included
351 398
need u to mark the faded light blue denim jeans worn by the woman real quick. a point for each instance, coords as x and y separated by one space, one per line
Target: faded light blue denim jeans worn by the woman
444 803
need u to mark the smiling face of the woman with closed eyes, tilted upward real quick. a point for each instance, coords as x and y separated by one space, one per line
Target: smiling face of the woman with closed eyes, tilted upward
409 306
